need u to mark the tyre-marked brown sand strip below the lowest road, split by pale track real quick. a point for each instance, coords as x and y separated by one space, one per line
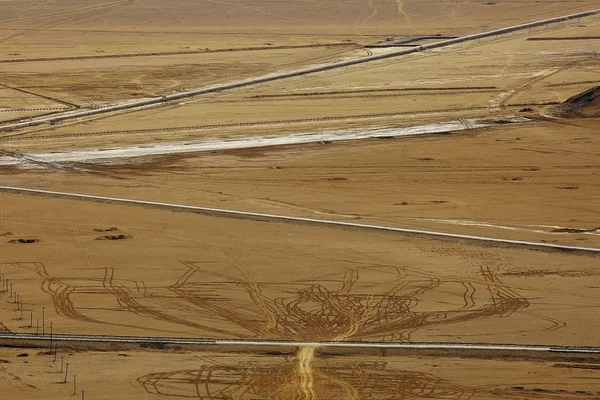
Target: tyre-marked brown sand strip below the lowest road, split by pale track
206 375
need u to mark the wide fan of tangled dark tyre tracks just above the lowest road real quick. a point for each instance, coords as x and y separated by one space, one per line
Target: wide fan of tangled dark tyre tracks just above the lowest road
337 308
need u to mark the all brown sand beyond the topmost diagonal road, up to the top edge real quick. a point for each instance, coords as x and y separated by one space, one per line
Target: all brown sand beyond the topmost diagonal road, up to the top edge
162 50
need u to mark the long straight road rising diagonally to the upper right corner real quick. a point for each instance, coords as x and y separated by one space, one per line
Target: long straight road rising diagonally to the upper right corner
288 74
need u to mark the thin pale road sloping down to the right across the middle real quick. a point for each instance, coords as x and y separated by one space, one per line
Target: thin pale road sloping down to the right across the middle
305 221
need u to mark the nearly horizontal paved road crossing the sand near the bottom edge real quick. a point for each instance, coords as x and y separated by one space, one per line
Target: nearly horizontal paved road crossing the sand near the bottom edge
14 337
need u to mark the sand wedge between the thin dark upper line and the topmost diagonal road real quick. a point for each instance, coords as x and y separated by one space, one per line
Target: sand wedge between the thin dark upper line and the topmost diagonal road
91 81
